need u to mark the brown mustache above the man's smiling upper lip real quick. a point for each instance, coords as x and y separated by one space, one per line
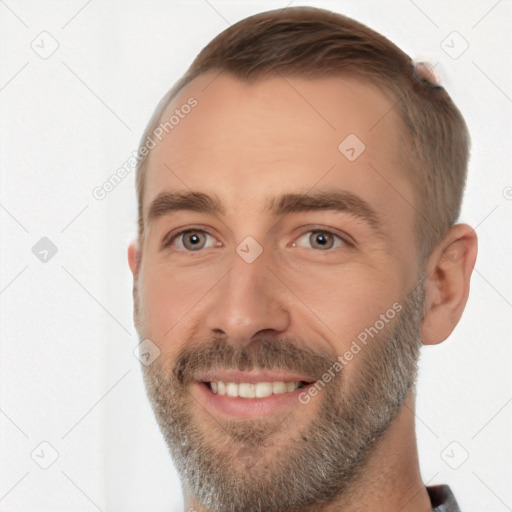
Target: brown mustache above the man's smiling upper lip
264 353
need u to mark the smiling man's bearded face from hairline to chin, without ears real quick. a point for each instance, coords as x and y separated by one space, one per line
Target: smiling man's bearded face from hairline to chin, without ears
277 283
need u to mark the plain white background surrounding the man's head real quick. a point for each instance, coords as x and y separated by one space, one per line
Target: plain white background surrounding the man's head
67 373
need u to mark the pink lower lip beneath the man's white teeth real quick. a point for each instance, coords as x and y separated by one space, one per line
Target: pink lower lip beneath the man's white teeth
248 407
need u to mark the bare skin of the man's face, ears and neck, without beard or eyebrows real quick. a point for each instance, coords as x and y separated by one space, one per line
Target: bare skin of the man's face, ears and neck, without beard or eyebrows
242 143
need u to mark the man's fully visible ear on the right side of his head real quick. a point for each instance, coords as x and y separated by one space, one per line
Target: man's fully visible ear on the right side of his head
448 271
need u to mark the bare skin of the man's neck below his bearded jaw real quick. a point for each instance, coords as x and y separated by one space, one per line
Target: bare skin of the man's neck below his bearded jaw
391 480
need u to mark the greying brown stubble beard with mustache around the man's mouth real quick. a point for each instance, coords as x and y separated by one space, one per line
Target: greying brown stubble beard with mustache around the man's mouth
283 466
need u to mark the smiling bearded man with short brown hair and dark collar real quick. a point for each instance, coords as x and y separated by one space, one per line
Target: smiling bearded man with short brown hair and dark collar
298 192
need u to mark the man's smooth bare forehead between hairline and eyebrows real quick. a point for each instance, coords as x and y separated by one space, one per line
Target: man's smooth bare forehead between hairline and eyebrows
243 142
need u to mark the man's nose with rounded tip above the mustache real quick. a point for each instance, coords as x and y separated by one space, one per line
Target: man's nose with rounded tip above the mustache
248 301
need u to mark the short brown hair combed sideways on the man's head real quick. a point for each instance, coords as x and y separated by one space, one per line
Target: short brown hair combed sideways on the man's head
309 42
